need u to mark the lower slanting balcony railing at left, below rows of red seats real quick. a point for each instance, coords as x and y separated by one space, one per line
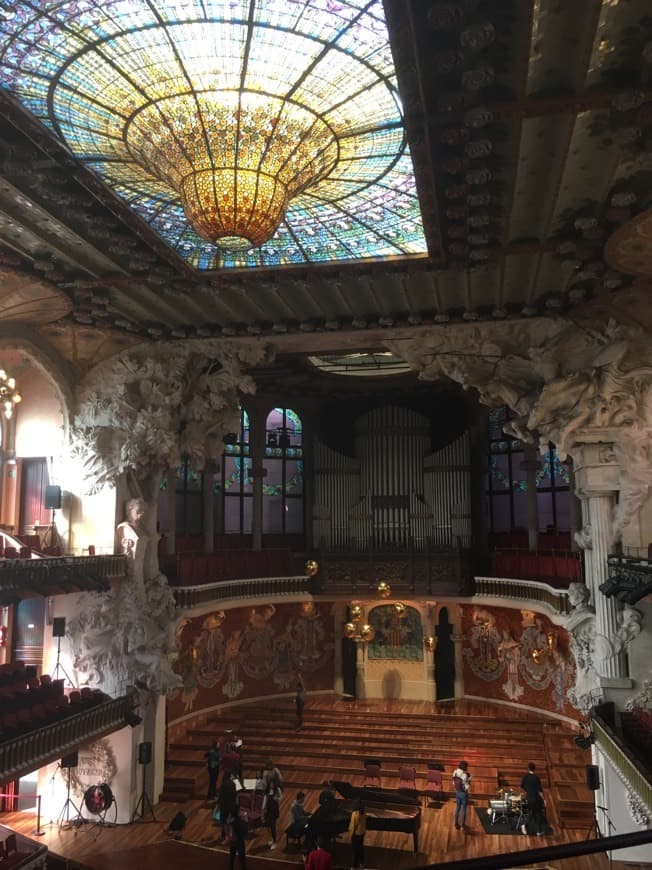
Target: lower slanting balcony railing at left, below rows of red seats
27 752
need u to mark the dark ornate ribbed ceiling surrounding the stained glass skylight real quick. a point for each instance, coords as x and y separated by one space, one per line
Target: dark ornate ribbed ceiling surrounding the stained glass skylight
529 126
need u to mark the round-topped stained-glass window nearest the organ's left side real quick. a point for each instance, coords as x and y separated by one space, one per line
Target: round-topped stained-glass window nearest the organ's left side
283 484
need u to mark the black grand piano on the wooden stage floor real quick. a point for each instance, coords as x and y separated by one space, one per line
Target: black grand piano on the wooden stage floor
386 809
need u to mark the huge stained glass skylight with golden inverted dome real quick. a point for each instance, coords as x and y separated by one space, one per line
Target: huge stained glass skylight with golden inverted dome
244 132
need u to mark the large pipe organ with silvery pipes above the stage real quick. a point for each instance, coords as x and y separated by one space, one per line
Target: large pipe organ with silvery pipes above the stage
394 495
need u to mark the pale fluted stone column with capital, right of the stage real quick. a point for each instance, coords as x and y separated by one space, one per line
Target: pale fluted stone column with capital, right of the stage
597 473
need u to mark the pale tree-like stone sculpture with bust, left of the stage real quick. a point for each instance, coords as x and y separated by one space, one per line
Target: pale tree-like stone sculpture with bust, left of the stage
136 417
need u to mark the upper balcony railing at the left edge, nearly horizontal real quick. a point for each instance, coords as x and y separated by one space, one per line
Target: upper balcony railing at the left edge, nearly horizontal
22 578
